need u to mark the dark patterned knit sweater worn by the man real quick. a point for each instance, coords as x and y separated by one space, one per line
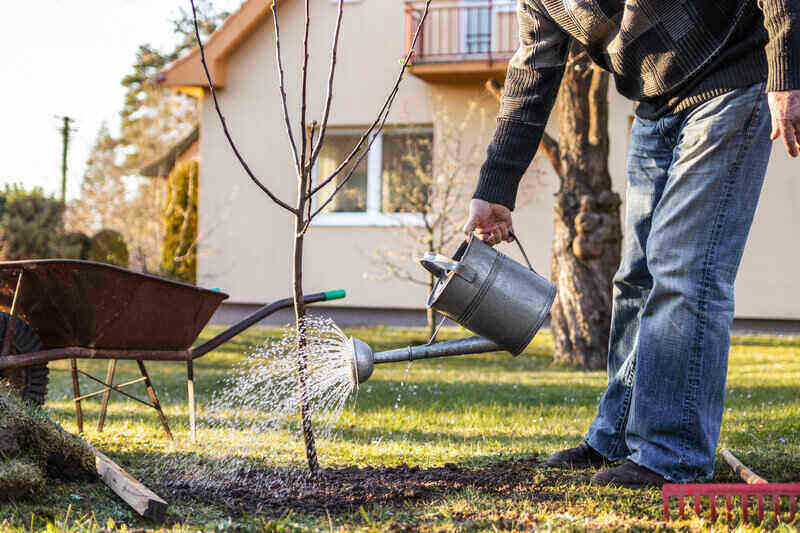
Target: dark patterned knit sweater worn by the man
666 55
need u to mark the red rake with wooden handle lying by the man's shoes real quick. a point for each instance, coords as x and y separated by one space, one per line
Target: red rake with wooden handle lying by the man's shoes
756 486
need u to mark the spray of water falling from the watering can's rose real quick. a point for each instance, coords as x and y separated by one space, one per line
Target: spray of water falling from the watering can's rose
250 429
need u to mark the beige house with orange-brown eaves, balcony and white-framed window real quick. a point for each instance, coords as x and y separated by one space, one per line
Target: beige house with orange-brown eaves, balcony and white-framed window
245 240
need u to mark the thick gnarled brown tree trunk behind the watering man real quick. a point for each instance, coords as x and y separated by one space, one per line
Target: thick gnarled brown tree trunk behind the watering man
586 243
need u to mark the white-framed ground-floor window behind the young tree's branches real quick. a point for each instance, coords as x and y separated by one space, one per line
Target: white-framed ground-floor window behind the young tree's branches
388 184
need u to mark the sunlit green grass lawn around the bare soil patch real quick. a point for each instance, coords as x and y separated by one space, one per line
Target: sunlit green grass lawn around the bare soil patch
472 411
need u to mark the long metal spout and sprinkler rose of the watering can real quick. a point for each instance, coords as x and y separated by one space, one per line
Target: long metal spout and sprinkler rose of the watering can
364 359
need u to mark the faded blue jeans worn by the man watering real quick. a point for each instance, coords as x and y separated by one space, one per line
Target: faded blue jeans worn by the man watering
694 179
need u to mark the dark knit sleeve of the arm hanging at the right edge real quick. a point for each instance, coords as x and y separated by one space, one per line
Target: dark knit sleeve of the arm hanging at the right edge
782 21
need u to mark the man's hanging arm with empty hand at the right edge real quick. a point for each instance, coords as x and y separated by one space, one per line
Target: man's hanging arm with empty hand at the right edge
782 21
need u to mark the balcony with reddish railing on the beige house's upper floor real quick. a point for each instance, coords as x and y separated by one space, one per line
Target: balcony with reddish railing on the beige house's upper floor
462 40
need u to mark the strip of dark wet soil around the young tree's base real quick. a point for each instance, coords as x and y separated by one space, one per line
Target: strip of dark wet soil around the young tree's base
346 489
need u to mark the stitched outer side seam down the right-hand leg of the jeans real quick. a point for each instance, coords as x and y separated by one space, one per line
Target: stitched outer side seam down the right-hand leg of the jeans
719 221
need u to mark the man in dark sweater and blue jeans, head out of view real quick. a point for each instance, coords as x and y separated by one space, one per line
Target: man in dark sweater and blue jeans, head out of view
710 78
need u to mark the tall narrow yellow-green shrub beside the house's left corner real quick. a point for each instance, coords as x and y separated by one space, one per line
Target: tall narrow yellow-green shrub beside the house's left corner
179 259
